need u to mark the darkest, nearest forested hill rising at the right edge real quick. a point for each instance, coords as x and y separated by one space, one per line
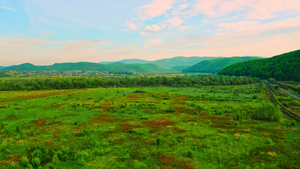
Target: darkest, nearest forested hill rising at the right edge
281 67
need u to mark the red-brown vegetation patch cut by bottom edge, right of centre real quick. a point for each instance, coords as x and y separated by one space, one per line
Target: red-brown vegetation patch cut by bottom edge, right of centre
169 162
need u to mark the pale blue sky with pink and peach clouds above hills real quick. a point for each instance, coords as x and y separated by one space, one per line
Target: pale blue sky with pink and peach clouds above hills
44 32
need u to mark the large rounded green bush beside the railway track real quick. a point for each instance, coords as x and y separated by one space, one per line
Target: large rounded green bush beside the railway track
267 112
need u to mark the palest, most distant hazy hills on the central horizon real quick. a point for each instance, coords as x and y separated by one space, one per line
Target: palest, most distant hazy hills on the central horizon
167 63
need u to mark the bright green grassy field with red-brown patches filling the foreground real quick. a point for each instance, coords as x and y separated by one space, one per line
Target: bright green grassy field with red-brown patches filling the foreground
159 127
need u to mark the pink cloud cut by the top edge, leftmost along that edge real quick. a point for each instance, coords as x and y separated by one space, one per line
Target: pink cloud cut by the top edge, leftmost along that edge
155 8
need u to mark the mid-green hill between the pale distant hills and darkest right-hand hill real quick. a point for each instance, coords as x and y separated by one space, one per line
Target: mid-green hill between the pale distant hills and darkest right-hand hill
215 65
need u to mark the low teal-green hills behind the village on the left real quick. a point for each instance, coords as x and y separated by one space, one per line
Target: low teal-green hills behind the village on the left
137 68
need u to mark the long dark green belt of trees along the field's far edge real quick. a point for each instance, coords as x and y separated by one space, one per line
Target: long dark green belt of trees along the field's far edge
138 81
